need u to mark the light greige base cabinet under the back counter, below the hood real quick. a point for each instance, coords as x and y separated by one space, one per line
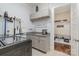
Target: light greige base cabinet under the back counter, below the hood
41 43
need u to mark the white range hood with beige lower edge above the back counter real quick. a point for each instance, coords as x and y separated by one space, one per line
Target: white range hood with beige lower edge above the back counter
40 14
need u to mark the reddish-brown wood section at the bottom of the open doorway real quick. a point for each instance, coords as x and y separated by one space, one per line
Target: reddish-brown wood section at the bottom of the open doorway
62 48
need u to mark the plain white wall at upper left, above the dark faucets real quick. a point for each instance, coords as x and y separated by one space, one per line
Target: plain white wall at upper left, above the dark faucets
20 10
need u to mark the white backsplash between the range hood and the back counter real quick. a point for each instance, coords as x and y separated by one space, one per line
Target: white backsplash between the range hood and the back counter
42 24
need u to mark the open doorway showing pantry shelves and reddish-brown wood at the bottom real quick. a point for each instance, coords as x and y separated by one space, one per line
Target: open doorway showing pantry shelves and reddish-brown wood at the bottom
62 29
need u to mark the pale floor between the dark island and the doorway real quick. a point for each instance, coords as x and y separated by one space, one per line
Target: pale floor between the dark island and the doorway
55 53
